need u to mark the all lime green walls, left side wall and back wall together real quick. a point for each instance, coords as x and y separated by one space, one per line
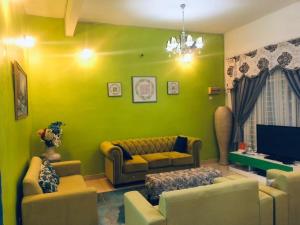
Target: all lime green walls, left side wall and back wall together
61 87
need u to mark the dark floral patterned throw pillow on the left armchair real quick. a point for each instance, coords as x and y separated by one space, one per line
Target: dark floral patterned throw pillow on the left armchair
46 180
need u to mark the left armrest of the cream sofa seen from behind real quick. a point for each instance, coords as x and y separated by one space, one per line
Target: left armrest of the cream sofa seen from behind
138 211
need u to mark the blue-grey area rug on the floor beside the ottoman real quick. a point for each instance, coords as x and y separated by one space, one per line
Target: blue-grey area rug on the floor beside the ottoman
111 205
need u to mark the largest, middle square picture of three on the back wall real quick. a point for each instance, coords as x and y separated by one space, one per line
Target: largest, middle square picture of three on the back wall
144 89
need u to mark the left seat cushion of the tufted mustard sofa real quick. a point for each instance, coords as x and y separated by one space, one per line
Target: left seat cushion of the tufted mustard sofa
137 164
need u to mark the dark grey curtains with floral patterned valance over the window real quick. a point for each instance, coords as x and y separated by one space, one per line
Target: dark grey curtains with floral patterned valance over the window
246 76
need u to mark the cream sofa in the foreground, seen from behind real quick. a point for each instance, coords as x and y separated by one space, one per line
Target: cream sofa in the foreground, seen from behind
228 202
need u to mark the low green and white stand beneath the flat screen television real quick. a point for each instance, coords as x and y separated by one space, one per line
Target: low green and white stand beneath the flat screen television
256 160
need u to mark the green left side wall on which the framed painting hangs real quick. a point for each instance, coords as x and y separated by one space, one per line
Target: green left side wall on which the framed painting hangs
14 135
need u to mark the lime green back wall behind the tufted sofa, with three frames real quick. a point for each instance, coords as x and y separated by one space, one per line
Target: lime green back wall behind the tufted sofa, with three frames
65 89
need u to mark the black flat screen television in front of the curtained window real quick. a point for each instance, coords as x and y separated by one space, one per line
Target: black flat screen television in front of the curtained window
279 142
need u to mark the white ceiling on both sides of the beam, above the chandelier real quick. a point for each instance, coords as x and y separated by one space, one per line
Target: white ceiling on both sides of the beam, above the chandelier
211 16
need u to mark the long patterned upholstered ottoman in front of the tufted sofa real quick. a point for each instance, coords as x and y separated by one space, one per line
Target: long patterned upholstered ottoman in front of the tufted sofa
180 179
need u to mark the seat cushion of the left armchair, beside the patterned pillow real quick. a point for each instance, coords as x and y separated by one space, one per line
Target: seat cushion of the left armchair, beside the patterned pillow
71 183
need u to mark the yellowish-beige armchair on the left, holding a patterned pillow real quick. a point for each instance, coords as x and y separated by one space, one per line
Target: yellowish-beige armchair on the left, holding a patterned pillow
73 204
